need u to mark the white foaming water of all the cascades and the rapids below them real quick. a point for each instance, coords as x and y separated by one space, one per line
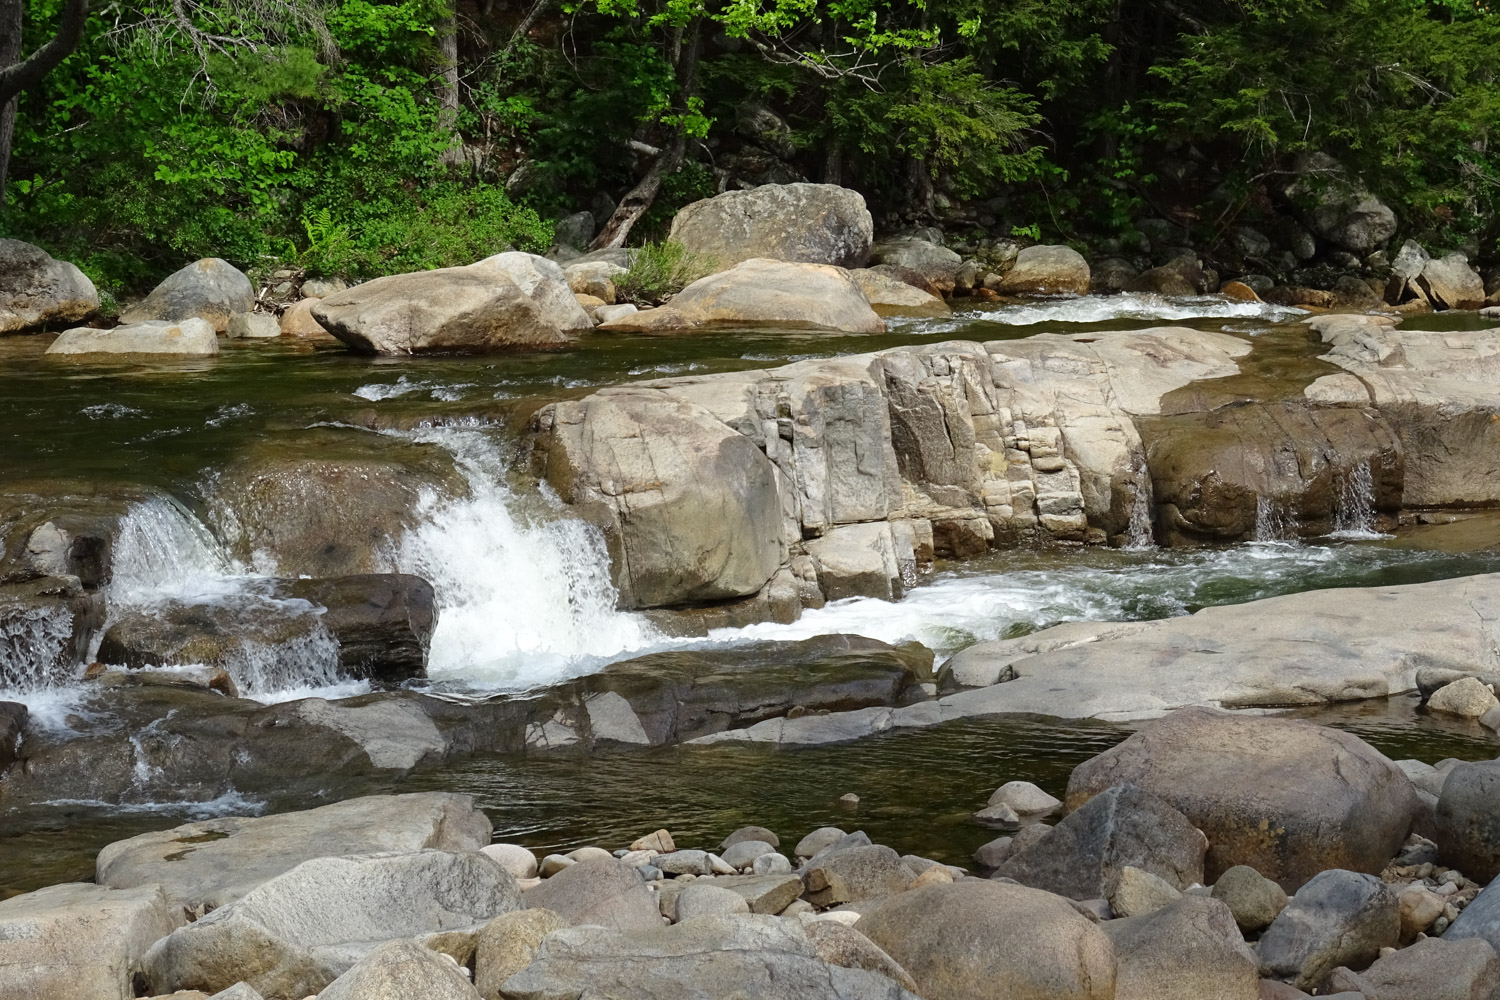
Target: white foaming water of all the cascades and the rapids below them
526 597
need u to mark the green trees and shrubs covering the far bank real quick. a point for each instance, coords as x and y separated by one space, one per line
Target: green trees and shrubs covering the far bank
367 137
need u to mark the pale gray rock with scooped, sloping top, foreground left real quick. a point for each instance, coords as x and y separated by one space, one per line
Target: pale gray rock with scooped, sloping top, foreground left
301 932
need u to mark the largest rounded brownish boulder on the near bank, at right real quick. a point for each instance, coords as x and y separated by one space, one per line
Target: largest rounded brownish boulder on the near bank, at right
1265 791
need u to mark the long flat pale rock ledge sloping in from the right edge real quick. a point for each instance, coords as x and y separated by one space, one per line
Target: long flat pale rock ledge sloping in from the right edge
1316 648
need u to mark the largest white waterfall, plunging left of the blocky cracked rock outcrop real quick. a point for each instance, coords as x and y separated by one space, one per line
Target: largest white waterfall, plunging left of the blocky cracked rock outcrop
524 593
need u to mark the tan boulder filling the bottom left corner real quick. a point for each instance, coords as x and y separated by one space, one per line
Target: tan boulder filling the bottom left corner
80 942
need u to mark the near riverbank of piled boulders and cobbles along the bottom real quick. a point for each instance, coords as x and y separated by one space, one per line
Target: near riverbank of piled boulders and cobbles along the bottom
1211 855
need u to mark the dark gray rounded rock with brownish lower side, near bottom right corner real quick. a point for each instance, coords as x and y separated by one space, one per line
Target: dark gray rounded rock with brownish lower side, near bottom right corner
1339 918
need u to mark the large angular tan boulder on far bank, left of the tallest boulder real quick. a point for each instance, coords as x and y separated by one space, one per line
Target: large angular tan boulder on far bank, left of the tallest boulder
460 310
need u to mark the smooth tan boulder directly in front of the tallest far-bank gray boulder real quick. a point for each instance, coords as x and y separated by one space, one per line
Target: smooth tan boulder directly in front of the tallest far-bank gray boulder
761 292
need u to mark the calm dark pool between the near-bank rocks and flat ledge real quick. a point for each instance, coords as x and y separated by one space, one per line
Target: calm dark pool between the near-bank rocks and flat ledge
917 789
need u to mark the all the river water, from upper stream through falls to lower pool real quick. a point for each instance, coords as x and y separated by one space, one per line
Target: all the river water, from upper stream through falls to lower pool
526 599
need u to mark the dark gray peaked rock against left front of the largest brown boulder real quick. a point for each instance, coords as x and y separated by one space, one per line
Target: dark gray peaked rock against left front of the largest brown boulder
1123 827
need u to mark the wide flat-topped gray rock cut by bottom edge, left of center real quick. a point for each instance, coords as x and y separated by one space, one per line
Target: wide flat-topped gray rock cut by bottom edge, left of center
709 959
